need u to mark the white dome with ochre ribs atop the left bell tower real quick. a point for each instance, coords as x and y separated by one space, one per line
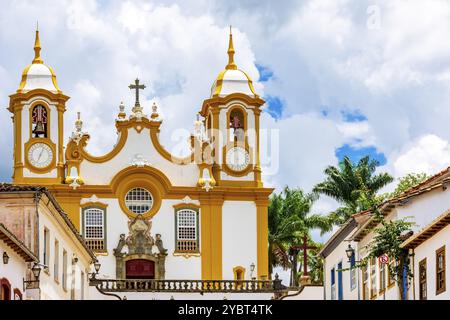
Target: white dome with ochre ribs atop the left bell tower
38 76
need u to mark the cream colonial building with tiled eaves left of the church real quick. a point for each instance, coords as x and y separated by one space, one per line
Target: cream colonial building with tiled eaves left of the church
44 257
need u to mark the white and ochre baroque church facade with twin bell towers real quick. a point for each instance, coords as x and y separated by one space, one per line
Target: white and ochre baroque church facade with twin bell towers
145 213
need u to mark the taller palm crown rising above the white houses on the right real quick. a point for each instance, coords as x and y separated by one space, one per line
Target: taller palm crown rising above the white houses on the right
353 185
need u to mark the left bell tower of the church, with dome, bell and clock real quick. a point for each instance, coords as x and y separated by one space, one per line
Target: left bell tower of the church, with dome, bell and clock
38 108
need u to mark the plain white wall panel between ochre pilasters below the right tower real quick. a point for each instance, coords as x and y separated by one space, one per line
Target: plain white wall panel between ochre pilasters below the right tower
239 246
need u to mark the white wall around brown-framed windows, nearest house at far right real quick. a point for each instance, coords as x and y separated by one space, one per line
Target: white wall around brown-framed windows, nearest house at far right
428 250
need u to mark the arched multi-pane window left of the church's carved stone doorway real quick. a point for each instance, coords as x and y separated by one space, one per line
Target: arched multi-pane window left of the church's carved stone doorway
94 228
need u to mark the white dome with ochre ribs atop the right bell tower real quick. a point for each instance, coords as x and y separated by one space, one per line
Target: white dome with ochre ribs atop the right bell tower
232 81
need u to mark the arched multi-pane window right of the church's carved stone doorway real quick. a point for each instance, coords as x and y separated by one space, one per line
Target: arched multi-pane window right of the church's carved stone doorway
186 230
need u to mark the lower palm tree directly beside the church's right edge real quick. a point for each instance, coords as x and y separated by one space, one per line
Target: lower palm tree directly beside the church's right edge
289 221
